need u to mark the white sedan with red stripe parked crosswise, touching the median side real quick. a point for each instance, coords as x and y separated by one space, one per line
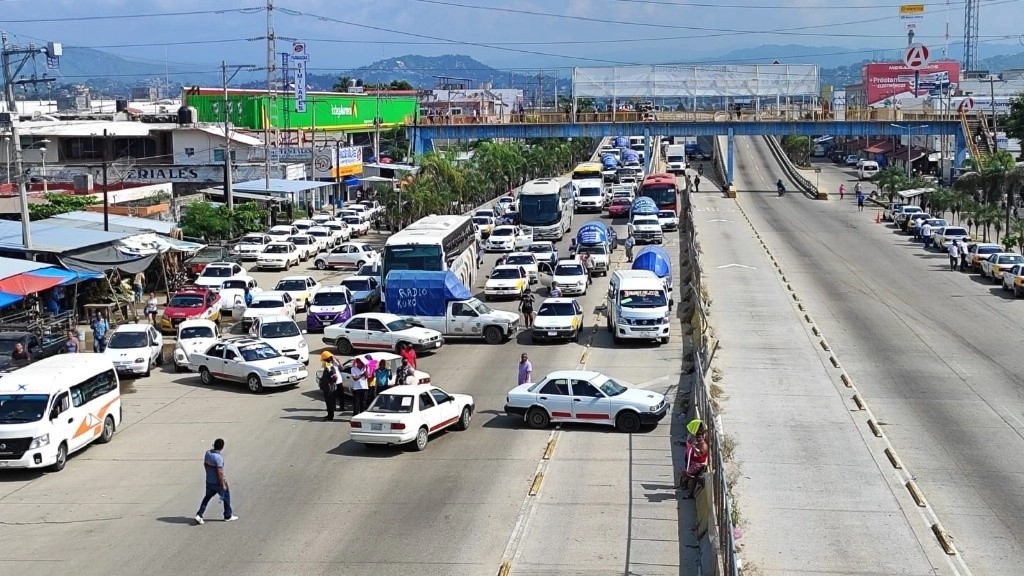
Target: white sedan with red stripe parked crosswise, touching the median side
580 396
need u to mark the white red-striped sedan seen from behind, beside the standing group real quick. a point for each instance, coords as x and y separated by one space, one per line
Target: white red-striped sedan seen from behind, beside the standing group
410 415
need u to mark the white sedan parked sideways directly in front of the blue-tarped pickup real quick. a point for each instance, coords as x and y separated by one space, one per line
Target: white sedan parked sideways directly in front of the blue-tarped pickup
379 332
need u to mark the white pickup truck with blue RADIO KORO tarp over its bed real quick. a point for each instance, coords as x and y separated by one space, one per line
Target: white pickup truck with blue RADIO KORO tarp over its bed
440 302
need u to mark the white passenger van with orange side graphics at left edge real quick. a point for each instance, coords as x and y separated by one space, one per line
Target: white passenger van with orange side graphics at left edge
57 407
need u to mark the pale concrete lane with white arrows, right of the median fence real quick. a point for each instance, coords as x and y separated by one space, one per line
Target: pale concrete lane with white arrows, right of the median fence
810 497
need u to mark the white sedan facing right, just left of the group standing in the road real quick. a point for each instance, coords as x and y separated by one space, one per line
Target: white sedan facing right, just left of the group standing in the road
257 364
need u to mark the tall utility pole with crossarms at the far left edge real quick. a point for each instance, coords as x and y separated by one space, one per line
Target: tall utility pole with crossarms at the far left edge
54 52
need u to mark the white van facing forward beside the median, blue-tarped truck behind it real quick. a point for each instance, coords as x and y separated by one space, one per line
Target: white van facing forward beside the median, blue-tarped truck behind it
638 307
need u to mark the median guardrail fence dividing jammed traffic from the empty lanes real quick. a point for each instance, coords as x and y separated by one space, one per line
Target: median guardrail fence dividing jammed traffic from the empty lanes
714 501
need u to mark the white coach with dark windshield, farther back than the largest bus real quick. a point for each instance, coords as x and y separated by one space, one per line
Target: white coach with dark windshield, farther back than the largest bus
546 208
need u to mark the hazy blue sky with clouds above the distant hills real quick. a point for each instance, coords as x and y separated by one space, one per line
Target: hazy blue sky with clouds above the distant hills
505 34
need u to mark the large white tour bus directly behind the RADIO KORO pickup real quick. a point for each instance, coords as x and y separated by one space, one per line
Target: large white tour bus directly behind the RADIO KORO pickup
434 243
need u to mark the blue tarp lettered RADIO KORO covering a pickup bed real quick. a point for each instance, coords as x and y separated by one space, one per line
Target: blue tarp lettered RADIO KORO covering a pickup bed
414 293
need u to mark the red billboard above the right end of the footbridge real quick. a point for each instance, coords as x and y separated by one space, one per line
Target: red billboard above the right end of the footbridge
888 84
